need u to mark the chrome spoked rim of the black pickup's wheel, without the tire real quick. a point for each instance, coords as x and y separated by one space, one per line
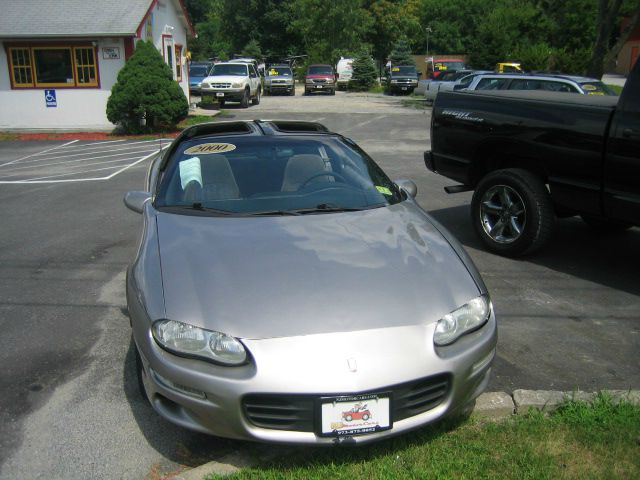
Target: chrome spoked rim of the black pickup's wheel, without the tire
503 214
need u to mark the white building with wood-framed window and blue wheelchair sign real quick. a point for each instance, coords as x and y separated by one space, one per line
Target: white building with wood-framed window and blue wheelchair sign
60 58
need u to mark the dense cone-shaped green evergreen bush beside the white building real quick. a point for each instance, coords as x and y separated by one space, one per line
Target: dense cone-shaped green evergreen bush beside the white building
145 97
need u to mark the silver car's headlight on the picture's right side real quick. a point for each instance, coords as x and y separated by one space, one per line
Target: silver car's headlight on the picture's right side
469 317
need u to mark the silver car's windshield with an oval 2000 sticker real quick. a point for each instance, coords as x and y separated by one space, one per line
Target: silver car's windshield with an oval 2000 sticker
272 176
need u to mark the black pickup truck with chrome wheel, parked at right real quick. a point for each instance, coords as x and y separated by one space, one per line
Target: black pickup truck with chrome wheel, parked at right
531 157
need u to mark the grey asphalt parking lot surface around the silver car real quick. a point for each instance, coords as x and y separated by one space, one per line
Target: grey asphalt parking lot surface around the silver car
568 317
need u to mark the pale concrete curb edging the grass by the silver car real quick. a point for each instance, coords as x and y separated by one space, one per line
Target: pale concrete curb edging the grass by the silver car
490 406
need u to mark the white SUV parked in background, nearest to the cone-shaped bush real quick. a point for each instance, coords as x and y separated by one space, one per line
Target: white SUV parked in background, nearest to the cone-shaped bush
233 81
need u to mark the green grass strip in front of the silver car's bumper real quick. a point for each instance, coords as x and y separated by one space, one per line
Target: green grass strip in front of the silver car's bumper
579 441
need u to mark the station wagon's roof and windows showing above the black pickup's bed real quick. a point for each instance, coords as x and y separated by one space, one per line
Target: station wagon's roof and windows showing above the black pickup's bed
552 83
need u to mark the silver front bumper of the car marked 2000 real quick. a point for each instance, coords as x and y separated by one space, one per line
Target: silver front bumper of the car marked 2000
209 398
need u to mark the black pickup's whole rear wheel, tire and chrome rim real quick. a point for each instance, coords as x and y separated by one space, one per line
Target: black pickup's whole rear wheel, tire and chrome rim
512 212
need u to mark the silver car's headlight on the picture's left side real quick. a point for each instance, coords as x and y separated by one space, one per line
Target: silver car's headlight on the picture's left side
184 339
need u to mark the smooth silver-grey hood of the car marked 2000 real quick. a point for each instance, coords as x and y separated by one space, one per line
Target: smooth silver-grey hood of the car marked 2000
265 277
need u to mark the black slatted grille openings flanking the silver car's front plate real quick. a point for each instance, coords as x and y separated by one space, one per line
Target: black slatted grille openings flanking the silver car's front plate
296 412
